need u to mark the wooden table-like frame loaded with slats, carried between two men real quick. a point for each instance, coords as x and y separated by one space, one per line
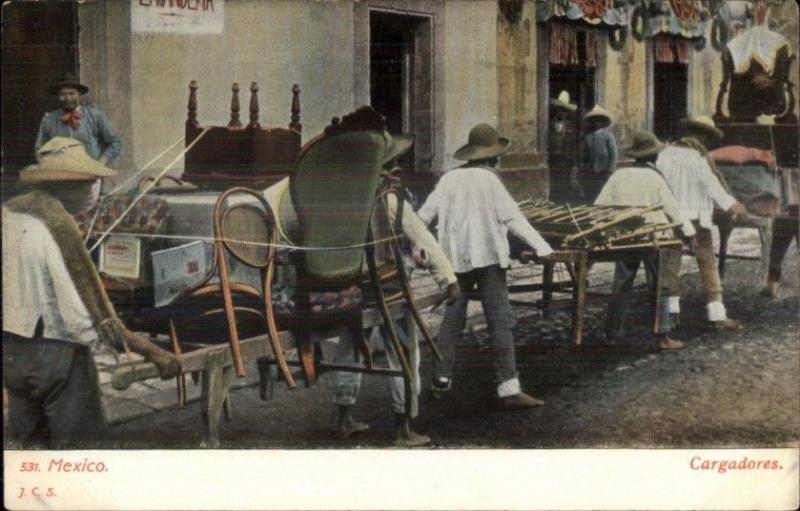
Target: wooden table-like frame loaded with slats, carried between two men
584 235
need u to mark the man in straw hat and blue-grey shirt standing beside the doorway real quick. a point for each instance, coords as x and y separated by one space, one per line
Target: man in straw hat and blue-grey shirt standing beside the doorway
598 153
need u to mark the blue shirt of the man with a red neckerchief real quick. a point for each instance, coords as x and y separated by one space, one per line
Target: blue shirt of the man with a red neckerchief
94 130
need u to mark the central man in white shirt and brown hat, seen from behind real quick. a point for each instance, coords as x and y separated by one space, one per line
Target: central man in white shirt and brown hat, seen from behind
475 213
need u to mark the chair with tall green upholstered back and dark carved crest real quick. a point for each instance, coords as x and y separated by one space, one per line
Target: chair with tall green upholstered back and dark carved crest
333 188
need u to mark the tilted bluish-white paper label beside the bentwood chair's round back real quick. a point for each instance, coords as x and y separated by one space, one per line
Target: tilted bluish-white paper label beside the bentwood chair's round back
179 269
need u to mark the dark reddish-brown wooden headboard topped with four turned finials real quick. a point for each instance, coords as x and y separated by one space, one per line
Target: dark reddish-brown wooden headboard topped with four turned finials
246 155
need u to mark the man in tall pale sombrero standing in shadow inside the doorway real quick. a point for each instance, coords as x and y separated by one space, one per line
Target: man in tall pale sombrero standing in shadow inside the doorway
561 147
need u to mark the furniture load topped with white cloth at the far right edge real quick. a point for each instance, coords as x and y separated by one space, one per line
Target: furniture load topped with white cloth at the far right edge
755 109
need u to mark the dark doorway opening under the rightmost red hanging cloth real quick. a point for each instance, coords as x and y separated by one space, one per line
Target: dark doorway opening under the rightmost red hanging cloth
670 94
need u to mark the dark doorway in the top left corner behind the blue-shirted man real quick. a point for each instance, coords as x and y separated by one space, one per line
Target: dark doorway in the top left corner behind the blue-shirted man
39 46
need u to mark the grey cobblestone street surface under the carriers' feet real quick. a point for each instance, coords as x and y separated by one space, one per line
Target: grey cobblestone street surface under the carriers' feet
722 390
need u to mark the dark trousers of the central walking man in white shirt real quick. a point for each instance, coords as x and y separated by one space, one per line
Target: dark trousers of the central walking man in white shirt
490 283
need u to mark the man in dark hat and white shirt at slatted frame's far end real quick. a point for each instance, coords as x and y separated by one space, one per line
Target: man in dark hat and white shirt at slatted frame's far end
642 185
